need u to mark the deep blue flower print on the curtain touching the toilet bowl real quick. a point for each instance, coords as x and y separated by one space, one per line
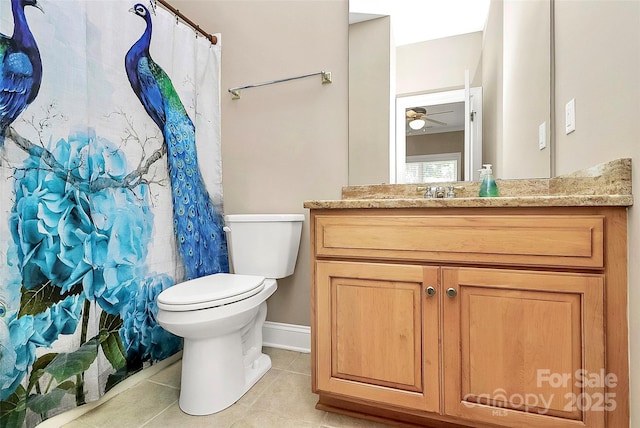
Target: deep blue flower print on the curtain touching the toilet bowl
141 335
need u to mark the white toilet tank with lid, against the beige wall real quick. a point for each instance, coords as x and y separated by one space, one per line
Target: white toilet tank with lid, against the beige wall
263 244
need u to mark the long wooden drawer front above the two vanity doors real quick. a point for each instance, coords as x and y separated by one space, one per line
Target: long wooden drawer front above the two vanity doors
540 240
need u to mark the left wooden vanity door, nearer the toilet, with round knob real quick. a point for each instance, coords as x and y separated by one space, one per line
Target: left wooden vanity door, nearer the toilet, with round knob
377 333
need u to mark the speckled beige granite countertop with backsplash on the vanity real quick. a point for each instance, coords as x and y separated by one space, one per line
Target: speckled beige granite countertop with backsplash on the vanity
607 184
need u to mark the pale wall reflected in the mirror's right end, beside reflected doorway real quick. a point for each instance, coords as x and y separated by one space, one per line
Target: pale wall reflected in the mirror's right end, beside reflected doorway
516 82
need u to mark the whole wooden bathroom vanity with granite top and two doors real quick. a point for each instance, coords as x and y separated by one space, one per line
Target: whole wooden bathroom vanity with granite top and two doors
478 312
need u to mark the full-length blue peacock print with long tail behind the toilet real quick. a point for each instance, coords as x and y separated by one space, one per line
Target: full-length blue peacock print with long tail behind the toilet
197 223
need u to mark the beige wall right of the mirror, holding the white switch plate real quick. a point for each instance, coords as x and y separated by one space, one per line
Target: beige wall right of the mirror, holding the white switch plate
598 64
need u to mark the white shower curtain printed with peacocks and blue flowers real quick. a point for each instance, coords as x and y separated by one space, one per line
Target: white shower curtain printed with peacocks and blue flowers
90 232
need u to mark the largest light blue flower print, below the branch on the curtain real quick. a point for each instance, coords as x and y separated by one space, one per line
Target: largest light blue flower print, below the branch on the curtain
68 234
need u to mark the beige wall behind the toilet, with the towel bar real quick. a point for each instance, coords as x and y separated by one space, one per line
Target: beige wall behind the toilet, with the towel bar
286 143
